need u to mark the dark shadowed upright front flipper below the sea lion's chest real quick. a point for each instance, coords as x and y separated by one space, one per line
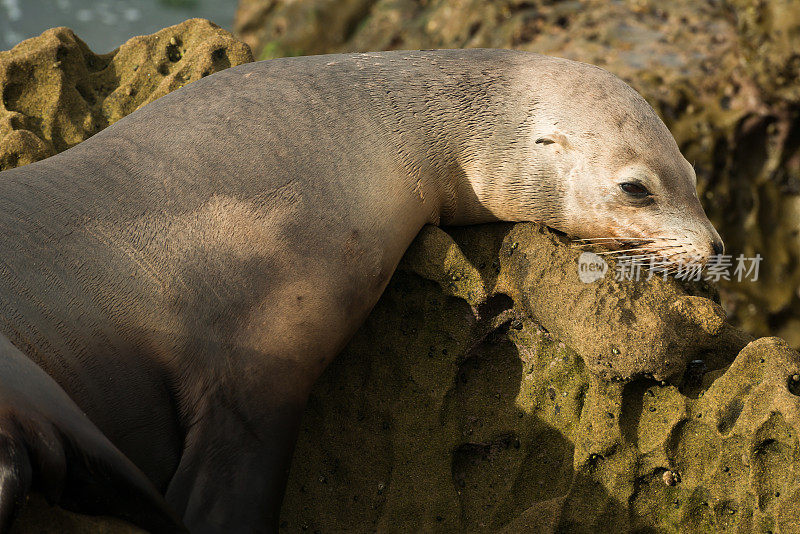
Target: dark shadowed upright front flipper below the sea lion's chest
236 484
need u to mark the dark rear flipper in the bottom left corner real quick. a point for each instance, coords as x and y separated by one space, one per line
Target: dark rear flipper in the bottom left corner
48 444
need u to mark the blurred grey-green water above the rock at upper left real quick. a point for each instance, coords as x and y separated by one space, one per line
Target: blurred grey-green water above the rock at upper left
104 24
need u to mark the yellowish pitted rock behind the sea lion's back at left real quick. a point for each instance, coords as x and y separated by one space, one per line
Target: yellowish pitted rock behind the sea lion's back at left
56 92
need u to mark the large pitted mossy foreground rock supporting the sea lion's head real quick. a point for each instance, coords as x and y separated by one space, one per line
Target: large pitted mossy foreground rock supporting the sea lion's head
449 413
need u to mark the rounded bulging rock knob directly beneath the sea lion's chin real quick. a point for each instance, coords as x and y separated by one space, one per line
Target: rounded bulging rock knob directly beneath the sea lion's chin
622 329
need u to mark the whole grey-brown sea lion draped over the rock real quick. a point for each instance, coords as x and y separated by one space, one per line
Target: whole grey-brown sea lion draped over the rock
171 288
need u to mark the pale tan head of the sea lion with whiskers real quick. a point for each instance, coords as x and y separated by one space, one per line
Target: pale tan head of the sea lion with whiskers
619 172
